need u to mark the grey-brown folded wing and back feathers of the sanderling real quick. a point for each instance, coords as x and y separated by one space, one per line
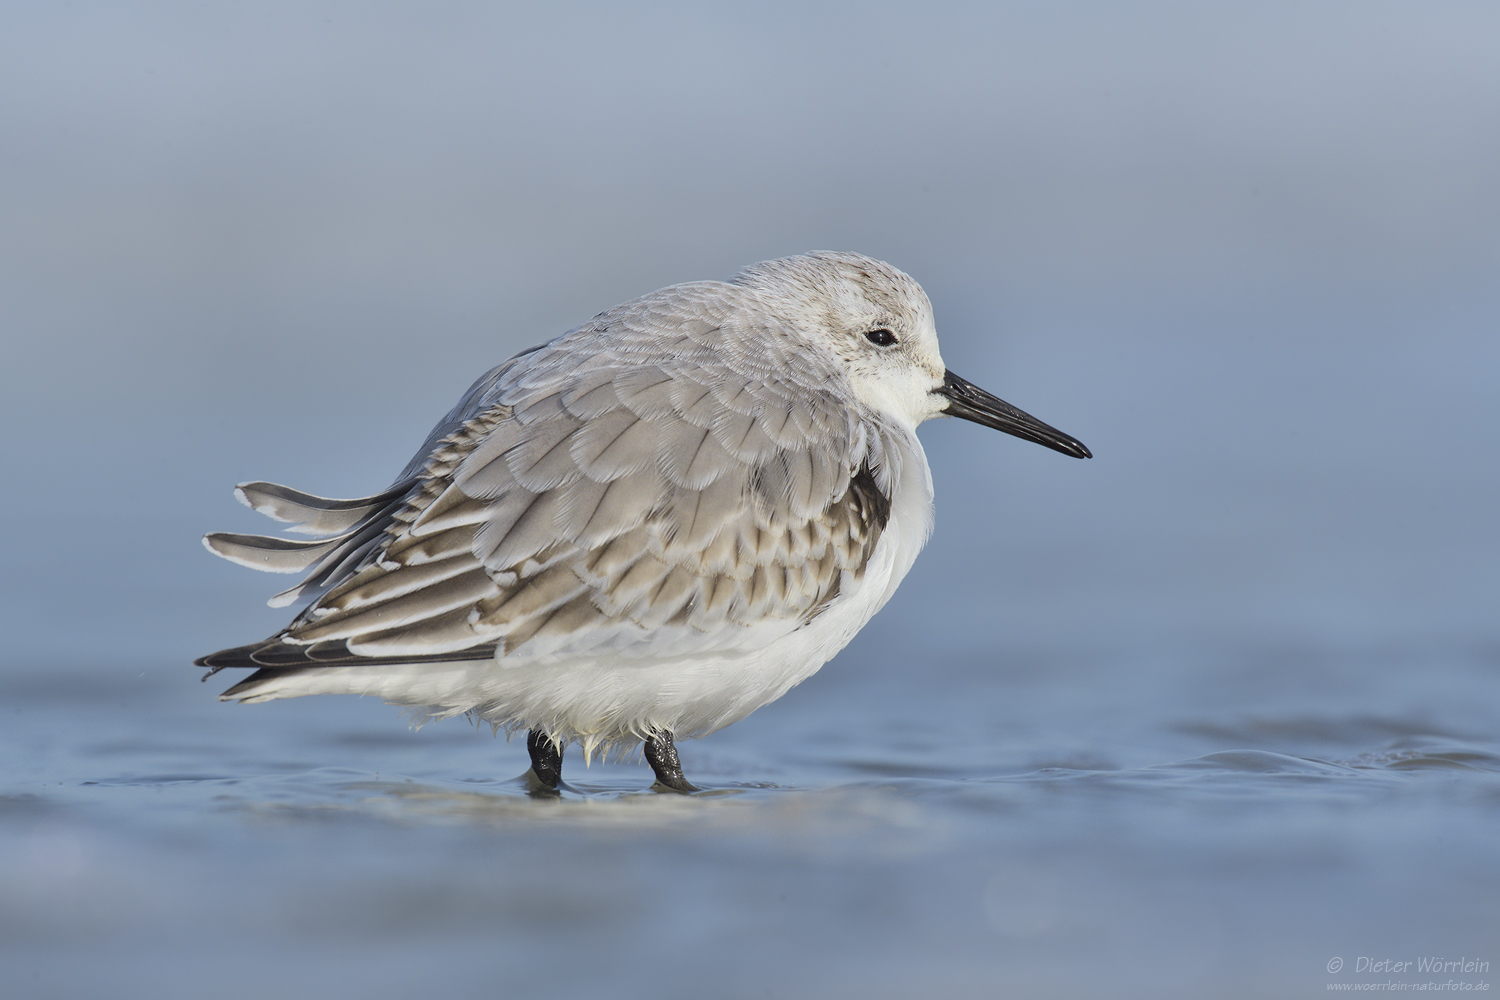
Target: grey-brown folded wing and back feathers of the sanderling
619 491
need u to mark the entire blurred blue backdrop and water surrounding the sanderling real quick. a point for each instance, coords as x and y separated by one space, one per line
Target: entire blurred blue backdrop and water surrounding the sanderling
1250 254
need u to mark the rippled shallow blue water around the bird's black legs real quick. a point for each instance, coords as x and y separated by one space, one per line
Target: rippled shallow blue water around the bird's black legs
1090 825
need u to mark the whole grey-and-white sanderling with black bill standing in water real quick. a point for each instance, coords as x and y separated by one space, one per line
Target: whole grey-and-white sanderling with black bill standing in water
641 531
